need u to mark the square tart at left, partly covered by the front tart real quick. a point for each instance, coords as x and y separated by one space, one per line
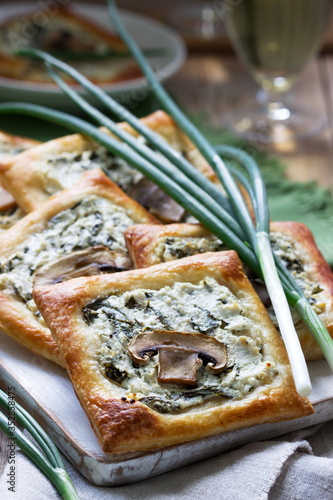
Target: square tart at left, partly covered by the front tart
92 214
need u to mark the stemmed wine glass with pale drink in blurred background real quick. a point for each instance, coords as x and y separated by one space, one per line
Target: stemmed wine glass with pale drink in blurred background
276 39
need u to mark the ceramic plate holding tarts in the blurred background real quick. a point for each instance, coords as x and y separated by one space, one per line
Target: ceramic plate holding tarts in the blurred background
147 32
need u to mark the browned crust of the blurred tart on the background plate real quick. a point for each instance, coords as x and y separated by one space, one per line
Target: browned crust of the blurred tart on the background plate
17 67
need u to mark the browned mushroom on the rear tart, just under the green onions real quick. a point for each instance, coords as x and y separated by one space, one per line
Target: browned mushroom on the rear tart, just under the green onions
156 201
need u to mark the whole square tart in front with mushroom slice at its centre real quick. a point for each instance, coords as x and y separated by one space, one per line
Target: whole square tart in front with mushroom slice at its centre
144 349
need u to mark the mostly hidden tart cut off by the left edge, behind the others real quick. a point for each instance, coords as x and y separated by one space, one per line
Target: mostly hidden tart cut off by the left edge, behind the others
11 145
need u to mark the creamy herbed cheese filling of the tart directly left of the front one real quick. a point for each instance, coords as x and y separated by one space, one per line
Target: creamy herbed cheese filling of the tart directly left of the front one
93 221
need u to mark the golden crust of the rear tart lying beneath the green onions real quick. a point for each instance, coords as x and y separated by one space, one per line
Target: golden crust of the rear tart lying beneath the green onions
24 175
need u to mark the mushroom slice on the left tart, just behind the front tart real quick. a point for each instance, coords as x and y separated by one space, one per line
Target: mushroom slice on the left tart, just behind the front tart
87 262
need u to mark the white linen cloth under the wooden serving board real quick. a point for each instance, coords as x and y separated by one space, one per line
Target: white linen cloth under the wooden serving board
296 466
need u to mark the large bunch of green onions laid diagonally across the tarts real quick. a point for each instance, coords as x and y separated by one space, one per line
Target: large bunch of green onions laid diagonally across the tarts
226 216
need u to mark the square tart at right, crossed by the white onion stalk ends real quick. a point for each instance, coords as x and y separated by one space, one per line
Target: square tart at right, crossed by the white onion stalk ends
292 241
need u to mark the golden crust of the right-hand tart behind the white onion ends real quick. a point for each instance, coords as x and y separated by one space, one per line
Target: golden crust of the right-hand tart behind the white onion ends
142 241
